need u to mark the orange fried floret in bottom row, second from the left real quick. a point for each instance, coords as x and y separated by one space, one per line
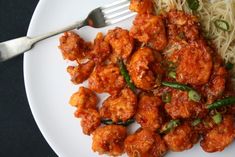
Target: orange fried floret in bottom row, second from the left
145 143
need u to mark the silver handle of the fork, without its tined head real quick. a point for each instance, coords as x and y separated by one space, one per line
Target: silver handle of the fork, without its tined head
15 47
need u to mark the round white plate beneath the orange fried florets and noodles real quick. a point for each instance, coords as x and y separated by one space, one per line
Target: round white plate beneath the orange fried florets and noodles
48 85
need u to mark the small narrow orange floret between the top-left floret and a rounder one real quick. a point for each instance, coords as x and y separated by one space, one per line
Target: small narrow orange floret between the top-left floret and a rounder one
101 49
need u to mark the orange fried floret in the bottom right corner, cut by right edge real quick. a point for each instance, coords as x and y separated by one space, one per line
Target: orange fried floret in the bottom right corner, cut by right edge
220 136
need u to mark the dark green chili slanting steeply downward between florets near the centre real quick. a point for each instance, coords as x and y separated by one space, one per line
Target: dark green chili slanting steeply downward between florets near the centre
126 75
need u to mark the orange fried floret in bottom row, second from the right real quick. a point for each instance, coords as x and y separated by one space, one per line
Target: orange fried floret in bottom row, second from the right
181 138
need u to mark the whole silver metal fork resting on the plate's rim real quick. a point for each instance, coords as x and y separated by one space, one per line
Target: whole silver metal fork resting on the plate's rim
100 17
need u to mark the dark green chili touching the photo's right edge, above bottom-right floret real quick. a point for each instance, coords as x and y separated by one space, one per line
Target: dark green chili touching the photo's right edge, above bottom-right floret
222 102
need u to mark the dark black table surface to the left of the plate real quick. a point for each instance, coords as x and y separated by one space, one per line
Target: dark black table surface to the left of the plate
19 134
